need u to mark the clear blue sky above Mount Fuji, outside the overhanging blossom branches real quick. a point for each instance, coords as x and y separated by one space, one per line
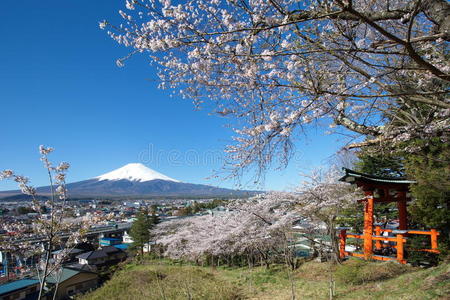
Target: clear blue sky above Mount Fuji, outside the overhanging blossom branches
59 86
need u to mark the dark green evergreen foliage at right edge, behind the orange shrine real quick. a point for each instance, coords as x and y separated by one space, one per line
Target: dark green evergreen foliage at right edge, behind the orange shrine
430 208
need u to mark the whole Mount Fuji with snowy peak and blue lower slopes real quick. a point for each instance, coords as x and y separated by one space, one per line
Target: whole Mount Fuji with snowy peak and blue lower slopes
136 180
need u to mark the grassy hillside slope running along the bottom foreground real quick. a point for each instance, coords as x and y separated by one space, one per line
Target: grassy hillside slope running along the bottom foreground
355 279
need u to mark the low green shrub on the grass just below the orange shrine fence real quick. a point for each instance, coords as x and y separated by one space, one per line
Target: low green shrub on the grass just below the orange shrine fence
356 271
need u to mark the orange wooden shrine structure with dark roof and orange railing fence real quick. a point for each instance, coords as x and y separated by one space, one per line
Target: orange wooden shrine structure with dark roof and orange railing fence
382 190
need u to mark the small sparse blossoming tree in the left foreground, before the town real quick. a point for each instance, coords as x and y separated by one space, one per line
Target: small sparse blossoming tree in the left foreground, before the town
52 227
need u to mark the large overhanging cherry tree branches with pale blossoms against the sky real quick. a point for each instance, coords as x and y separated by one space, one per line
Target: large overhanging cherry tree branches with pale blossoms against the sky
368 67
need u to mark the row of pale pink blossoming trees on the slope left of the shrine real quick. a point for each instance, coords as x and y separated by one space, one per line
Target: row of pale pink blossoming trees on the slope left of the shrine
259 230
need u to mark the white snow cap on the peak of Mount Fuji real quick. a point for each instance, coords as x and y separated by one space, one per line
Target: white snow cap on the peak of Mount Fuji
134 172
